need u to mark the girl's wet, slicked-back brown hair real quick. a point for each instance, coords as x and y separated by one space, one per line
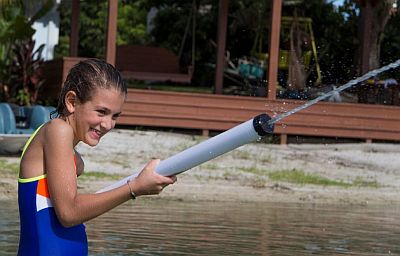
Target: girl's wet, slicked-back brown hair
87 76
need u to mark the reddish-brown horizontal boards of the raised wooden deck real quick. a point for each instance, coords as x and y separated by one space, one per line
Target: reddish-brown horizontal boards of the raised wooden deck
218 113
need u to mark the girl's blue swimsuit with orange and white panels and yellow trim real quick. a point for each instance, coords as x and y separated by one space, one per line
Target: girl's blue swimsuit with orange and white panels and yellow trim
41 233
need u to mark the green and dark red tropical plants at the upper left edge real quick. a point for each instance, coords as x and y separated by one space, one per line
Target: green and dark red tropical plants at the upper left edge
15 40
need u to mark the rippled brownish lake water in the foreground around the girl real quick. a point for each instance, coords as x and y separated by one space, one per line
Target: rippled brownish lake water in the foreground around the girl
157 227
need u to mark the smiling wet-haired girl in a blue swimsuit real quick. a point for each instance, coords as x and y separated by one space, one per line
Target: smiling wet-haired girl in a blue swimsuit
51 209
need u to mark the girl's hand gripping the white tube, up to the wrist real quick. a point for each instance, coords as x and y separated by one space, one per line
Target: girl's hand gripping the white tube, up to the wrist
148 182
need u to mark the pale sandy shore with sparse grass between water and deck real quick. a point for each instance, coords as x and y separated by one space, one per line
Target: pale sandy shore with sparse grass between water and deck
244 174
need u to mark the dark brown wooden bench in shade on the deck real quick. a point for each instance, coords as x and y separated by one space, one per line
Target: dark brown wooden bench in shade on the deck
149 63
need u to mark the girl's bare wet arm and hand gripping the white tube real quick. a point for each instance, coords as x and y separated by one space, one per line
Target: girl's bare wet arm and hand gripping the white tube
73 208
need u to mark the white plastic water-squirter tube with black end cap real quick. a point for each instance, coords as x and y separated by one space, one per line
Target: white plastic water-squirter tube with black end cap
244 133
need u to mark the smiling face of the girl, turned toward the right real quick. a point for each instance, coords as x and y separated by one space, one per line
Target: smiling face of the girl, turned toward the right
96 117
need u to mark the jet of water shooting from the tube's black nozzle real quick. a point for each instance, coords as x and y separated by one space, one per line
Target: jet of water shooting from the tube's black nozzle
358 80
